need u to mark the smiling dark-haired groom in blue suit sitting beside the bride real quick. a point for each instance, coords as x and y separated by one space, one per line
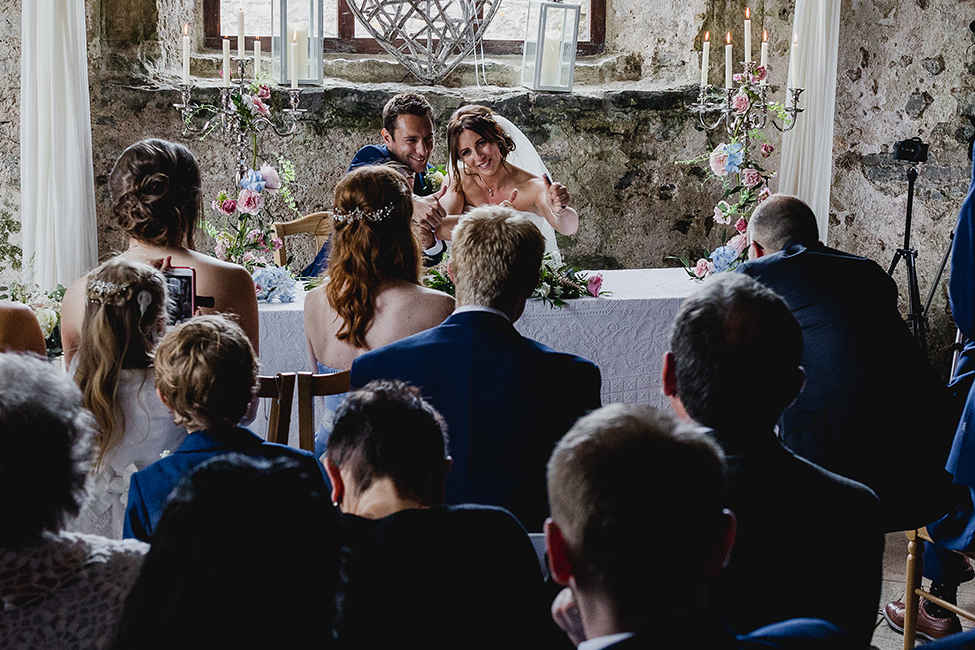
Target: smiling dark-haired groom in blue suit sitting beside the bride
407 143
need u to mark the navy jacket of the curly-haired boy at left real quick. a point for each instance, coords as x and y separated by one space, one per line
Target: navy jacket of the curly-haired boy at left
150 487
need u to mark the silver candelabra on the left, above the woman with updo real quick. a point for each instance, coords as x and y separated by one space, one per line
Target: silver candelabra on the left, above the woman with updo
228 116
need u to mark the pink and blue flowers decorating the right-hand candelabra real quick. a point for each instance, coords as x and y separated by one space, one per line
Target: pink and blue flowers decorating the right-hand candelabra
736 165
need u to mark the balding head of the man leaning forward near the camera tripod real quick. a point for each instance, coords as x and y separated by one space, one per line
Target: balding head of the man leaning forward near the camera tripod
780 220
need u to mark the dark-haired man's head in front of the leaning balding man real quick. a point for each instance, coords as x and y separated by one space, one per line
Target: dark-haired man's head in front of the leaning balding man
733 331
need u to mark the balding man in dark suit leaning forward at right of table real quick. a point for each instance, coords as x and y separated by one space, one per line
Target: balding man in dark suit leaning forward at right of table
870 393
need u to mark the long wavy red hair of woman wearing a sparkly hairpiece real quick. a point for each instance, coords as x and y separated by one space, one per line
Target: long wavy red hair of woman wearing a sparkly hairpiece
372 244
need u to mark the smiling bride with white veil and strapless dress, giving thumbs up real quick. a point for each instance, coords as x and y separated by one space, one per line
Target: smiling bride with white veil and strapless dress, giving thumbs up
493 163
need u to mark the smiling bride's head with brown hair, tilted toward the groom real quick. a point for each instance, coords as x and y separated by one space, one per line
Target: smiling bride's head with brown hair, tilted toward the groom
472 129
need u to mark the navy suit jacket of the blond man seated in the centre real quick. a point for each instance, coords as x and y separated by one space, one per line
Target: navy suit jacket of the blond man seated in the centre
506 399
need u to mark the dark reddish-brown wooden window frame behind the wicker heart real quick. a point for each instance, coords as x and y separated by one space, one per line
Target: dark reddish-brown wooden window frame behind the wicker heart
348 43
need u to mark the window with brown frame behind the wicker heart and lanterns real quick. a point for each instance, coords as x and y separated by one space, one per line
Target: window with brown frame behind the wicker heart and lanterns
344 33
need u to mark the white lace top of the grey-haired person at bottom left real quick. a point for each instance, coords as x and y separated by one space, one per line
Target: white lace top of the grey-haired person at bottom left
65 591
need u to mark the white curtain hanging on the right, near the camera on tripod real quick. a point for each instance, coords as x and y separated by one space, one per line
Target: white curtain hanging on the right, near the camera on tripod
807 150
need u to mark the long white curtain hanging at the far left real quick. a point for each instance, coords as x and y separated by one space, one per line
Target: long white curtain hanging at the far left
57 182
